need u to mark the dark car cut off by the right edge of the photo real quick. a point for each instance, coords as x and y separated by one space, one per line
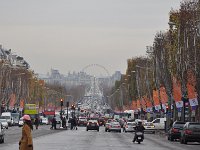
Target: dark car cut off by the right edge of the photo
190 133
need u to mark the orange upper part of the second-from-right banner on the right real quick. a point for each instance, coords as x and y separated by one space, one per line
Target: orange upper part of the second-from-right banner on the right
176 90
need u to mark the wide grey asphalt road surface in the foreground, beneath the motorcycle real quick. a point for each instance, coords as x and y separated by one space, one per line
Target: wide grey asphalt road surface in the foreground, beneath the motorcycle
92 140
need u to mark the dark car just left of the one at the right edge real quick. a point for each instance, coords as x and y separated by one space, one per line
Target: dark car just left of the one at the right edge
174 131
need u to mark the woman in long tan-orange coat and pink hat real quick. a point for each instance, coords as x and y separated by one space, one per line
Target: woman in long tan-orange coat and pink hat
26 142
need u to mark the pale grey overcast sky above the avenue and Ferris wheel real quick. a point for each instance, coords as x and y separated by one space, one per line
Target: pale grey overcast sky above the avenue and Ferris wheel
70 34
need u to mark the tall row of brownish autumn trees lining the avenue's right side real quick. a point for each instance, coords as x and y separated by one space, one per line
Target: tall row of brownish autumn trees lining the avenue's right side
173 54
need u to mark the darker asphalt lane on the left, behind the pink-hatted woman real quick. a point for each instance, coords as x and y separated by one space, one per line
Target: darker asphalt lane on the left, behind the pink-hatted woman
13 134
